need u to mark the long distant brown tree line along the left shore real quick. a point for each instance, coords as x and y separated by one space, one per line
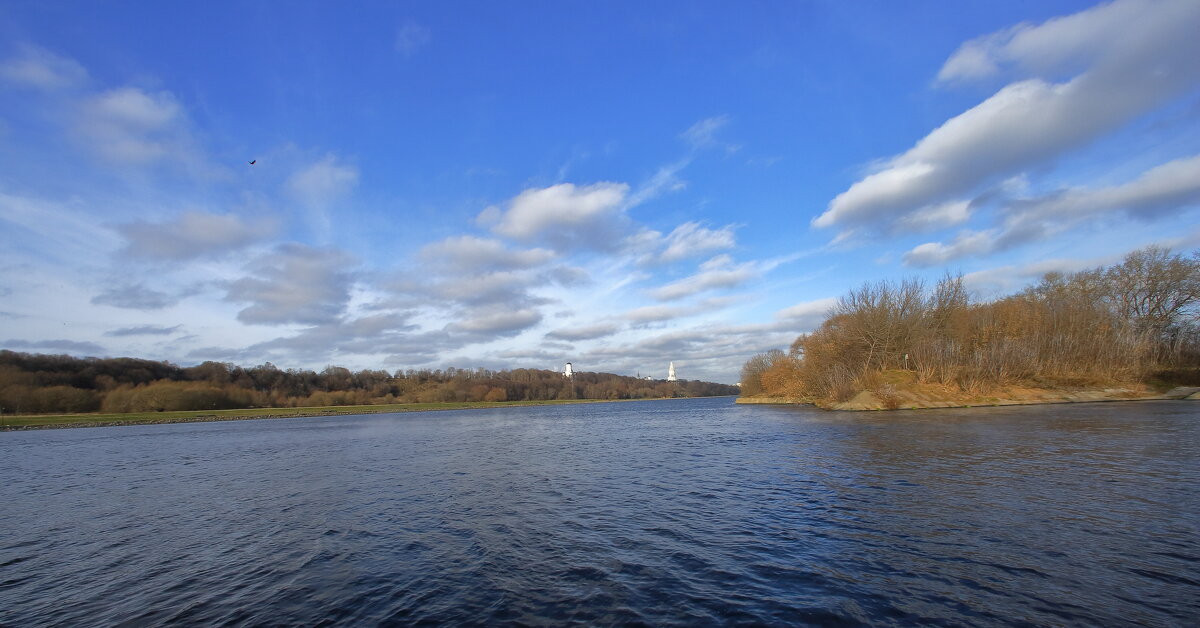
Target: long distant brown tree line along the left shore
40 384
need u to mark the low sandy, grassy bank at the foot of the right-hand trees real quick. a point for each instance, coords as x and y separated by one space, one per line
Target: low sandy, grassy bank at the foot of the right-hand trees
937 397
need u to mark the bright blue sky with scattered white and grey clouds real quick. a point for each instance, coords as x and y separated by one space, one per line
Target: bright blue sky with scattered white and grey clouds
619 186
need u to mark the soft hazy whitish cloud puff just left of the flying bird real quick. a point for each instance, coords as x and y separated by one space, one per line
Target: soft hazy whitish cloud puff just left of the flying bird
130 125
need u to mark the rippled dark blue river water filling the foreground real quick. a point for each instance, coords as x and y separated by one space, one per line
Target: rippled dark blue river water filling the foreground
676 513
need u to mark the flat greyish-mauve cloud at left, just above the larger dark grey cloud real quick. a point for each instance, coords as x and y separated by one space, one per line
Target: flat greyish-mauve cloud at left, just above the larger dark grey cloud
194 235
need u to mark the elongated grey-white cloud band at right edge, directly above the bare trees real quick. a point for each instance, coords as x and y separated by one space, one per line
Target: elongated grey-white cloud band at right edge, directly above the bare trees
1167 188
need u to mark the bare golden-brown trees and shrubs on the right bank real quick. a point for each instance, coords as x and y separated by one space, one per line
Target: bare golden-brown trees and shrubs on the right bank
1137 321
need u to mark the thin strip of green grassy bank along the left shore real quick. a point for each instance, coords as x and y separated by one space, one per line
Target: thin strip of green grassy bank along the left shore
49 422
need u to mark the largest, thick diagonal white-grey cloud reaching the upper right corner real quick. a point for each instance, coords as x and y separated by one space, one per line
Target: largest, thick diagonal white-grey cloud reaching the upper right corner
1129 65
